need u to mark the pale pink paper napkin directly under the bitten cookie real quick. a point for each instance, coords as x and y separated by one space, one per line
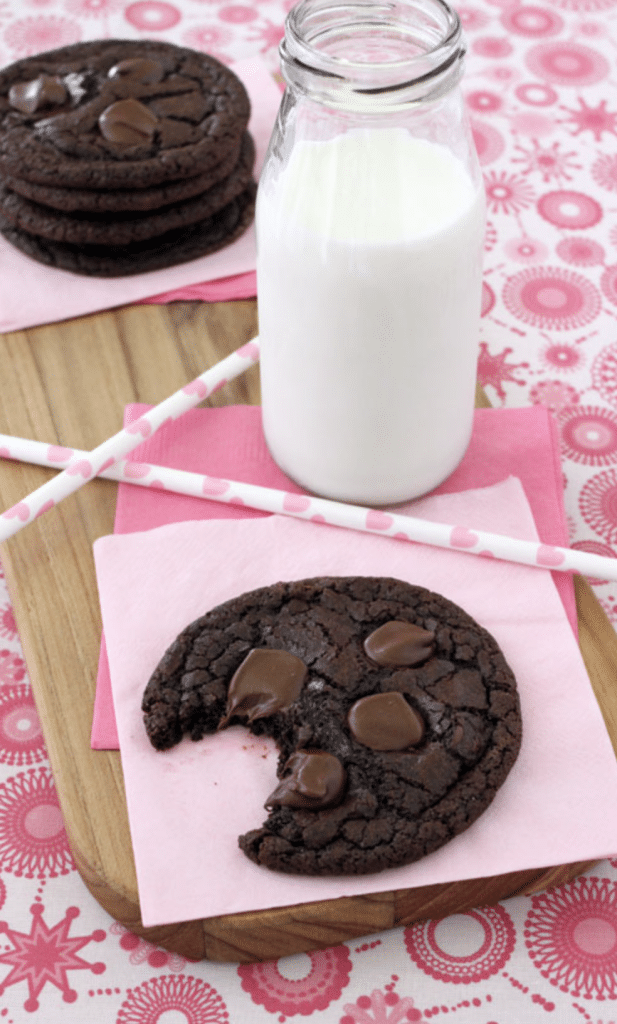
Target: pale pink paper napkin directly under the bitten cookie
187 806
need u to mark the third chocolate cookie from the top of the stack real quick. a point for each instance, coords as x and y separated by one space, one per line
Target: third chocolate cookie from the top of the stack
126 229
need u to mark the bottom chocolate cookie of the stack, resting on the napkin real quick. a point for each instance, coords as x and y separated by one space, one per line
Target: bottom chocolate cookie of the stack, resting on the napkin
169 249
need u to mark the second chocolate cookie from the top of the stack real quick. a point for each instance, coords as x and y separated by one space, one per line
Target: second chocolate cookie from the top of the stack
134 200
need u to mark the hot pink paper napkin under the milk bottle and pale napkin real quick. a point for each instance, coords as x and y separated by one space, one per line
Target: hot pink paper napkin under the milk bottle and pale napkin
230 443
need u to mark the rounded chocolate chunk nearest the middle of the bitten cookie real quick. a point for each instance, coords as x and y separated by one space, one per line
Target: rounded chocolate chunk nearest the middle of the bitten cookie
385 722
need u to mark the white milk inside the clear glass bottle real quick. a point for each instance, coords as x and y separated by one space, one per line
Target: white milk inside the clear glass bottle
369 277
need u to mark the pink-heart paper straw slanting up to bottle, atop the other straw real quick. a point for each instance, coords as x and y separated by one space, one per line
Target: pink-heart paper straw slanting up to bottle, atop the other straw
83 466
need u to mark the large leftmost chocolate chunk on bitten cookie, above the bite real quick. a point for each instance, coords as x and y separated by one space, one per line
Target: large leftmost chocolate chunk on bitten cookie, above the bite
268 681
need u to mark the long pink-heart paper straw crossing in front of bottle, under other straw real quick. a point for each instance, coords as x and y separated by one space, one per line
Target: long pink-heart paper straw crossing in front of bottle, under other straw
322 510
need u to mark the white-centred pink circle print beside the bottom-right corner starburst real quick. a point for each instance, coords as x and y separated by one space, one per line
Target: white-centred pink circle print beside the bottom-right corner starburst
465 949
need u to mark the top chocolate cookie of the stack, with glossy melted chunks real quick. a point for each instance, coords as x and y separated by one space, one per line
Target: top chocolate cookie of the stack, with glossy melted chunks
118 114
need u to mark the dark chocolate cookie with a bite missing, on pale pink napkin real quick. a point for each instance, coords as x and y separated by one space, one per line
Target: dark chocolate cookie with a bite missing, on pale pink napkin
396 716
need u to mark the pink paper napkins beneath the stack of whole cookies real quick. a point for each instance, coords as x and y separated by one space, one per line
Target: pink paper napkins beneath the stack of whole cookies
32 293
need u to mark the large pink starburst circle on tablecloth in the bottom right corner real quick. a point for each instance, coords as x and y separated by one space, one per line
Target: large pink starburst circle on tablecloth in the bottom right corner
571 937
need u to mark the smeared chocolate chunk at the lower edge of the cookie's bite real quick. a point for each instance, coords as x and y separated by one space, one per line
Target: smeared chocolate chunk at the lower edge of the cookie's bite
317 780
